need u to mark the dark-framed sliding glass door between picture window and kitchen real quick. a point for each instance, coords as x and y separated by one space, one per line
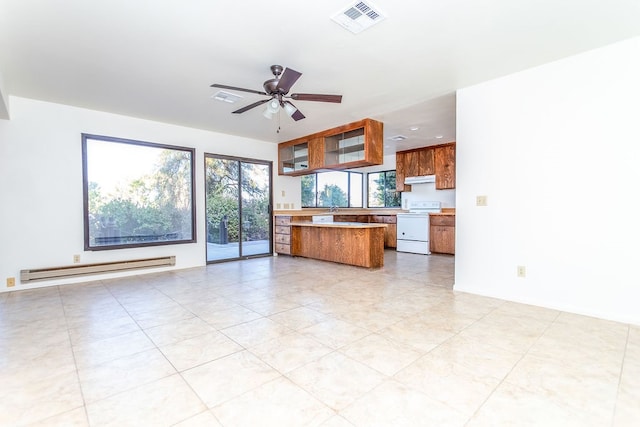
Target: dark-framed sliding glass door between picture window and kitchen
238 208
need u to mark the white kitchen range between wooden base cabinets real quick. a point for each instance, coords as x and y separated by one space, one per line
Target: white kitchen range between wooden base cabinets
413 227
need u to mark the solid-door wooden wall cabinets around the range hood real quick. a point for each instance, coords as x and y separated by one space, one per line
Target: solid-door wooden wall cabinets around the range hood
438 160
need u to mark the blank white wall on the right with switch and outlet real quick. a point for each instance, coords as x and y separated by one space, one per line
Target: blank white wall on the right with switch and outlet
556 150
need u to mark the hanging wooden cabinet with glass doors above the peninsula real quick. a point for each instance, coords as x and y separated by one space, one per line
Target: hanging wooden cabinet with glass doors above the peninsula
354 145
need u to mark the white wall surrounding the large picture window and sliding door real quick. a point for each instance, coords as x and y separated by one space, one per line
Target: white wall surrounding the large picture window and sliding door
41 184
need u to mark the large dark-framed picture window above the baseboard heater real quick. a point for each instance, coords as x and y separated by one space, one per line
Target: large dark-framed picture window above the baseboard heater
136 193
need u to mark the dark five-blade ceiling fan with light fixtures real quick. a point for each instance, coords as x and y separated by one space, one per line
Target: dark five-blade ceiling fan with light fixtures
277 89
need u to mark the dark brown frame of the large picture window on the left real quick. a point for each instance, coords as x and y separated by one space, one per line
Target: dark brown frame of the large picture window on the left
86 138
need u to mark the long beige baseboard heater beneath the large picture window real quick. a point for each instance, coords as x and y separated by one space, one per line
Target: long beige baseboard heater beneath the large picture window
96 268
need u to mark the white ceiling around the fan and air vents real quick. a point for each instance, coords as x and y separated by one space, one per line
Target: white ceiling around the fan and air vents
155 59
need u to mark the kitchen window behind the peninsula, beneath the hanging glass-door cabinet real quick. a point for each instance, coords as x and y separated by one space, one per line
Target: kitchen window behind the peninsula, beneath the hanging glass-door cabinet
327 189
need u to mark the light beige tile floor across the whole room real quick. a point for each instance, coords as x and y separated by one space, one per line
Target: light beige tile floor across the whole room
293 342
